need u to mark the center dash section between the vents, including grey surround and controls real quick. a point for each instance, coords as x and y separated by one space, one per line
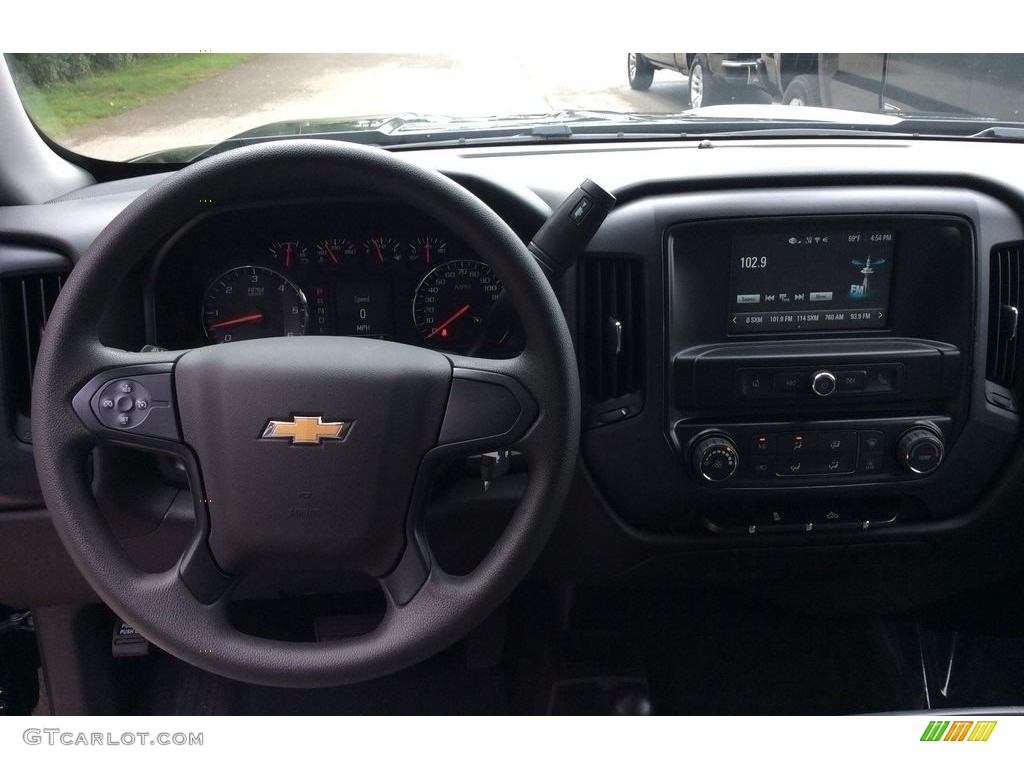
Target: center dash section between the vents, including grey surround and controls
823 369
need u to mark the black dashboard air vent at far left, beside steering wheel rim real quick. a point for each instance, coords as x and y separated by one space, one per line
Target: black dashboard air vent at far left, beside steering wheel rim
26 303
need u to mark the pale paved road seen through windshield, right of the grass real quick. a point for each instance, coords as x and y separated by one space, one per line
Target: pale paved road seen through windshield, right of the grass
276 88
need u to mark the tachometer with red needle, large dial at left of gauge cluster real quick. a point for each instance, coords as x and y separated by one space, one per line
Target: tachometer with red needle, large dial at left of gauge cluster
253 303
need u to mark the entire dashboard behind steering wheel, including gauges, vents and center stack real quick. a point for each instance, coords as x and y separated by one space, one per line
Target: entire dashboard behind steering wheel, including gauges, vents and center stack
798 358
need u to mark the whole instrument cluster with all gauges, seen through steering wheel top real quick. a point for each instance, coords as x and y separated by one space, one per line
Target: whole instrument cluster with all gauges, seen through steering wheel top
358 269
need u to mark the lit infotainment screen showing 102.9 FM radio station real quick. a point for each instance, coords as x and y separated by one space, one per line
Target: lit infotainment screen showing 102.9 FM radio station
810 281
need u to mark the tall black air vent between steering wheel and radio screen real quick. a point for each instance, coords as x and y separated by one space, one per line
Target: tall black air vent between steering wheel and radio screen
613 338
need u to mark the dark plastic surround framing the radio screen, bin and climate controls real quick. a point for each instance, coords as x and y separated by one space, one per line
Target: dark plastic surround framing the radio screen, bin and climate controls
652 487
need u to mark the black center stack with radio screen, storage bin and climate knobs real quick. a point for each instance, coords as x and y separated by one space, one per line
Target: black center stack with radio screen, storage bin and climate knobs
808 353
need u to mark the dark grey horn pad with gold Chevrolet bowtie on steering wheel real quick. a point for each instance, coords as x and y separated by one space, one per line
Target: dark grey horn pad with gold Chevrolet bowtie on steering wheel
310 448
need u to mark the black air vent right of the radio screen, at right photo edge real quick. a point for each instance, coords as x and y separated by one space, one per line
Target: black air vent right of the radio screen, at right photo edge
1004 332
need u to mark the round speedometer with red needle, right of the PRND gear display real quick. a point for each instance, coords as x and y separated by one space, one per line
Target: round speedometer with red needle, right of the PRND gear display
453 303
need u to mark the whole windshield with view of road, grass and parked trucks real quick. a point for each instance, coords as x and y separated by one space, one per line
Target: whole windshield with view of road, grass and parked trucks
178 108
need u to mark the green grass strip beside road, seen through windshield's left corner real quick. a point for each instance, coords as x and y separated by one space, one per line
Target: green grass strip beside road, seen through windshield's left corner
64 108
